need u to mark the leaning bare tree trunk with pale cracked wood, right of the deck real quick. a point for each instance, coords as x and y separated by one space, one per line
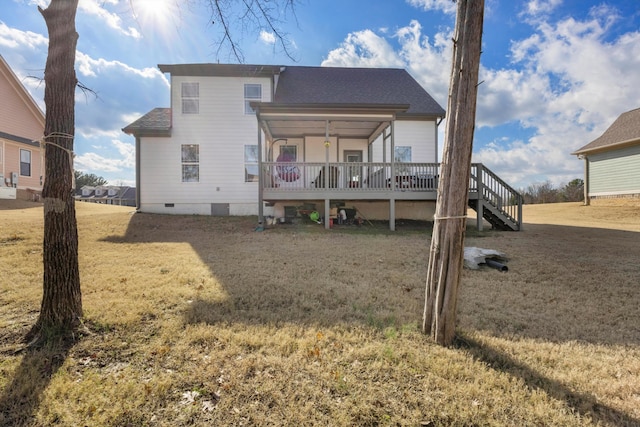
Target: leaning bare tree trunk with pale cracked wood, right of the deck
446 254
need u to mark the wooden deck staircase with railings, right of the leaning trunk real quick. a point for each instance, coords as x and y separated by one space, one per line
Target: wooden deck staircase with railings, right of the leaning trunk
494 200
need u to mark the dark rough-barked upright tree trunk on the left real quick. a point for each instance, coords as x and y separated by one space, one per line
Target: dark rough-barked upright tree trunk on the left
61 307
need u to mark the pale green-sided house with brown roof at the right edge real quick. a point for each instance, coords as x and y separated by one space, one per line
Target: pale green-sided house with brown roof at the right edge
612 161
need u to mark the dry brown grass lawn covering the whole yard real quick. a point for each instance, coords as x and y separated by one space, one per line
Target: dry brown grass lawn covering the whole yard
202 321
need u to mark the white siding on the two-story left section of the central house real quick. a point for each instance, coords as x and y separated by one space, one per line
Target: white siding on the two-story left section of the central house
221 130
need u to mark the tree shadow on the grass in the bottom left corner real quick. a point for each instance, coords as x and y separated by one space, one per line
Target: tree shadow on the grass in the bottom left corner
21 398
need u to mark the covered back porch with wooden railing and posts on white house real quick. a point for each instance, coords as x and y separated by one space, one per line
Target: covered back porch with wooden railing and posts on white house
330 152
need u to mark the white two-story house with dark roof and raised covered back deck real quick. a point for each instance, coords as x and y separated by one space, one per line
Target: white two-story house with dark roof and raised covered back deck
272 140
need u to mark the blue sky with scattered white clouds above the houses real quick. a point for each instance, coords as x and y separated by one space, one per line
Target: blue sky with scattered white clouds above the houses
556 73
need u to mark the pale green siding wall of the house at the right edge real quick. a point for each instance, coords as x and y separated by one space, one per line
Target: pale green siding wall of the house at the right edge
615 172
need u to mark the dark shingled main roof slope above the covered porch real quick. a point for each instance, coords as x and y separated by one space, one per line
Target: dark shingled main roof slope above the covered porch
332 85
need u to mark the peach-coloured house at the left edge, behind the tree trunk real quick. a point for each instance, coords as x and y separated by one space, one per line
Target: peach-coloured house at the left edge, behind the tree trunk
21 126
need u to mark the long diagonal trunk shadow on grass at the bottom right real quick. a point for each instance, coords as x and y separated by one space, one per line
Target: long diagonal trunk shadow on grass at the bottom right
584 404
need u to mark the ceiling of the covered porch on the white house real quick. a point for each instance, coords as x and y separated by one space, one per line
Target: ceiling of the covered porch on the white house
297 121
